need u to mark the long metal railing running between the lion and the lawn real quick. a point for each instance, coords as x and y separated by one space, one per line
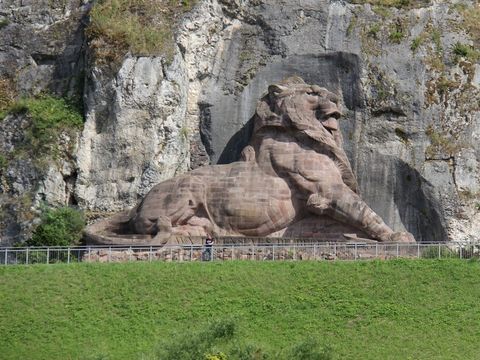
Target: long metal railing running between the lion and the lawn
225 252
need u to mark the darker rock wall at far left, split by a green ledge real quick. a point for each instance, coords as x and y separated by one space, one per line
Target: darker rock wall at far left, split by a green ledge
41 51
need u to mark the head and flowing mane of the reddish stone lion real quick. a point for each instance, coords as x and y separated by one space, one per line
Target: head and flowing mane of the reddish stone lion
306 110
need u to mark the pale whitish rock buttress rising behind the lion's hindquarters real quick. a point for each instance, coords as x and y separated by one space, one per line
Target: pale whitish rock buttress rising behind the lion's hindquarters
134 133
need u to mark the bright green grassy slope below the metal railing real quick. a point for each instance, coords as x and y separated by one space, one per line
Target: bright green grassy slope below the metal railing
422 309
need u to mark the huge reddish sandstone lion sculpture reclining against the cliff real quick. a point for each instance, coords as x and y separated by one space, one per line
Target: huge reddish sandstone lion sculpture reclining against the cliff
293 178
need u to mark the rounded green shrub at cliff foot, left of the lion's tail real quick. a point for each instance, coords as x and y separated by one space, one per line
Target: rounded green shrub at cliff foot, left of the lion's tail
59 227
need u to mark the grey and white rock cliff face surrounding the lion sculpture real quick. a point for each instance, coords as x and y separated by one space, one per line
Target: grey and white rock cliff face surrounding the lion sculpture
409 78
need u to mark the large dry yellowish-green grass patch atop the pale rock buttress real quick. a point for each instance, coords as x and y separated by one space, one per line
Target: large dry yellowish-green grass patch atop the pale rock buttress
142 27
